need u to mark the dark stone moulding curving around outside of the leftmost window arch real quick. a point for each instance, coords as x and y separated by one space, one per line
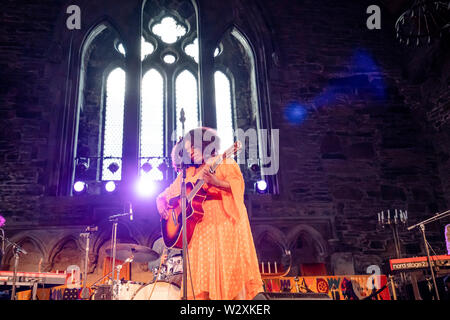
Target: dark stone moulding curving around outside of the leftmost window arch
69 52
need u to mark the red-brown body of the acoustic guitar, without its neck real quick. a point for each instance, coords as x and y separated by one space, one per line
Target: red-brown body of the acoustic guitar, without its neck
172 228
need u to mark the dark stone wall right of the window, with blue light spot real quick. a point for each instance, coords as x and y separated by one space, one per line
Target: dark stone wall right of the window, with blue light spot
352 141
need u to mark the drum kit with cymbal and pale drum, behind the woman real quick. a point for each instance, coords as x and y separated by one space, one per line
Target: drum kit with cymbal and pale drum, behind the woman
165 284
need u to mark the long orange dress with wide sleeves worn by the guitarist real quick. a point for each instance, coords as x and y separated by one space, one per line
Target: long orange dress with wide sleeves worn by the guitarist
222 256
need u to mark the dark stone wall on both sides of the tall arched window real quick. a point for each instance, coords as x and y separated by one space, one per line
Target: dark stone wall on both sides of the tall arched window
353 138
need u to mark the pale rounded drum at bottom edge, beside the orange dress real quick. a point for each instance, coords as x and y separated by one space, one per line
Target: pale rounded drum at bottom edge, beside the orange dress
162 290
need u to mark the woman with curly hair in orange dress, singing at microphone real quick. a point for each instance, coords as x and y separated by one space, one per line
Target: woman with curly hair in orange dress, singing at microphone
222 256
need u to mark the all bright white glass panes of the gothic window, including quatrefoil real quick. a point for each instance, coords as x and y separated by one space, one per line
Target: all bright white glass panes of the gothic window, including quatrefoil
152 116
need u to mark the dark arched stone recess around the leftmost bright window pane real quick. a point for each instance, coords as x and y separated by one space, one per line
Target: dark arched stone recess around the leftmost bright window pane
94 48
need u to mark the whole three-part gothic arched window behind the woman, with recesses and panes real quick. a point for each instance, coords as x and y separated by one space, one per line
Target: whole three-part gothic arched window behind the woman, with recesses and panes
170 71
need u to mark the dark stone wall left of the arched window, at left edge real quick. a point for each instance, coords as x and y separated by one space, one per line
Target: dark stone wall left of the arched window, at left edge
28 61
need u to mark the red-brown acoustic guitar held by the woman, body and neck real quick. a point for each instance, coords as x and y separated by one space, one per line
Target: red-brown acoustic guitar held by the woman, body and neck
172 228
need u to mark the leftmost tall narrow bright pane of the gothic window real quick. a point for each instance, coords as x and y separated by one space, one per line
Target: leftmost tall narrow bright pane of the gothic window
113 130
